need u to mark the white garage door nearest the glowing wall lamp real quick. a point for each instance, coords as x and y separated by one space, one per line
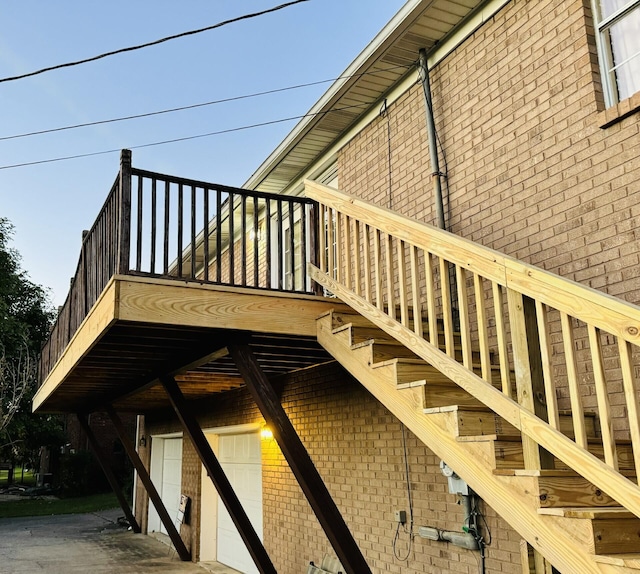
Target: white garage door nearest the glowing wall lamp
241 460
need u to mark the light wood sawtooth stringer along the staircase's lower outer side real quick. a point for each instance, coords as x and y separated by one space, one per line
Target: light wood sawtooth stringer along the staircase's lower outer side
513 498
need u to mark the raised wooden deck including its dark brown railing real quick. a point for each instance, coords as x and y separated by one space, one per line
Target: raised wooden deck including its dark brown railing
171 272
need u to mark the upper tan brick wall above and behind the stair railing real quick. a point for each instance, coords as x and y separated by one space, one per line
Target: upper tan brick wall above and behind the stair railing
518 109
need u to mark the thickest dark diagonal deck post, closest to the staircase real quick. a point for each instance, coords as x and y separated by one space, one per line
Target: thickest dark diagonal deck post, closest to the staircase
299 461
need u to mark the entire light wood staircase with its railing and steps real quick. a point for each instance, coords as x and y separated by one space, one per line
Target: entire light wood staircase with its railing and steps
465 330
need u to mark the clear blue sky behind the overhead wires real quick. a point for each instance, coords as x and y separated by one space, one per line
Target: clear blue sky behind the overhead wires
50 204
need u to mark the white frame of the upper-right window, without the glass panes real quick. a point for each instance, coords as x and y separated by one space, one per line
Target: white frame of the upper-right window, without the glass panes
605 52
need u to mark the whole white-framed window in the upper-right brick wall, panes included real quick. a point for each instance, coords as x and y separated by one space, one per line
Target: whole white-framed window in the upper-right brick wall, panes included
618 35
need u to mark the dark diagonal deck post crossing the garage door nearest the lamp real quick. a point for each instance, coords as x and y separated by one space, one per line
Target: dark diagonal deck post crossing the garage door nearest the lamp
220 481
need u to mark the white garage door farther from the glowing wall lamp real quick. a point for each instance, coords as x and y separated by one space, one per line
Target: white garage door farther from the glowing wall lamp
166 474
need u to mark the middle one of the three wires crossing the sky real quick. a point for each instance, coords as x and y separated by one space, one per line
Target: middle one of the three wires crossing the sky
199 105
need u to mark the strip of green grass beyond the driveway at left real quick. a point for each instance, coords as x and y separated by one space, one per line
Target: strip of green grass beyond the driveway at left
39 507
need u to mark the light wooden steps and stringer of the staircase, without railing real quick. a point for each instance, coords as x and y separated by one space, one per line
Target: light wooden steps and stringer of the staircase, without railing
576 527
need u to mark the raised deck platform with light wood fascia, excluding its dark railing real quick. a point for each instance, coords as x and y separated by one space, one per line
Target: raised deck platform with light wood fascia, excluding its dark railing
143 328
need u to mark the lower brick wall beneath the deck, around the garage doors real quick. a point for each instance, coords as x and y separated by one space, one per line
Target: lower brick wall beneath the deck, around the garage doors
357 447
